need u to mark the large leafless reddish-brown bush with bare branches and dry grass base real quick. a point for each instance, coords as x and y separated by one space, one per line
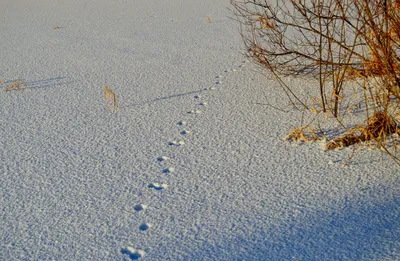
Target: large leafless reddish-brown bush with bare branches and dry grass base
335 42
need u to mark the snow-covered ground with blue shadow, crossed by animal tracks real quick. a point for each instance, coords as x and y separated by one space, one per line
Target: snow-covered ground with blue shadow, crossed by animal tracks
191 167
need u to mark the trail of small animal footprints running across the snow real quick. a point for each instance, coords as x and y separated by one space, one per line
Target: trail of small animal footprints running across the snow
135 254
